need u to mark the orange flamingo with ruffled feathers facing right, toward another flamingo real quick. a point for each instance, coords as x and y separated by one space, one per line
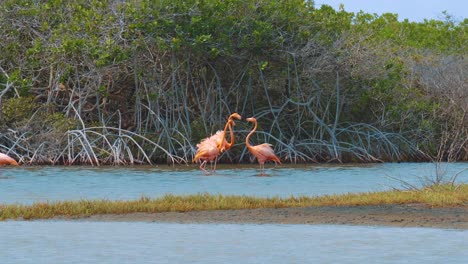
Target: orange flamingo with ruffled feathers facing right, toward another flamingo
210 147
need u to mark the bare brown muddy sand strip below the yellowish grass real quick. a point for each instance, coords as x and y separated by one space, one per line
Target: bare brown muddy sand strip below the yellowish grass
414 215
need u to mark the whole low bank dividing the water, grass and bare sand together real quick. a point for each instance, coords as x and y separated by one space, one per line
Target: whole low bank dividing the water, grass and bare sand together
435 206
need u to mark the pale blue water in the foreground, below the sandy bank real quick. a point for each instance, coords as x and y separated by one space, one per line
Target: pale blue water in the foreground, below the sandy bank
97 242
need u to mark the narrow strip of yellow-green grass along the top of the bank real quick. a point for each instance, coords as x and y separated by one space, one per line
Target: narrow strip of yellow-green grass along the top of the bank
434 196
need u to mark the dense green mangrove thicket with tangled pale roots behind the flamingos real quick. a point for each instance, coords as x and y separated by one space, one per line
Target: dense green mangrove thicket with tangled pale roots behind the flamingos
142 81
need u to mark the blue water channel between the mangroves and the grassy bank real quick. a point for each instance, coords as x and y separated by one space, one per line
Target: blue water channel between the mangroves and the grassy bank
32 184
